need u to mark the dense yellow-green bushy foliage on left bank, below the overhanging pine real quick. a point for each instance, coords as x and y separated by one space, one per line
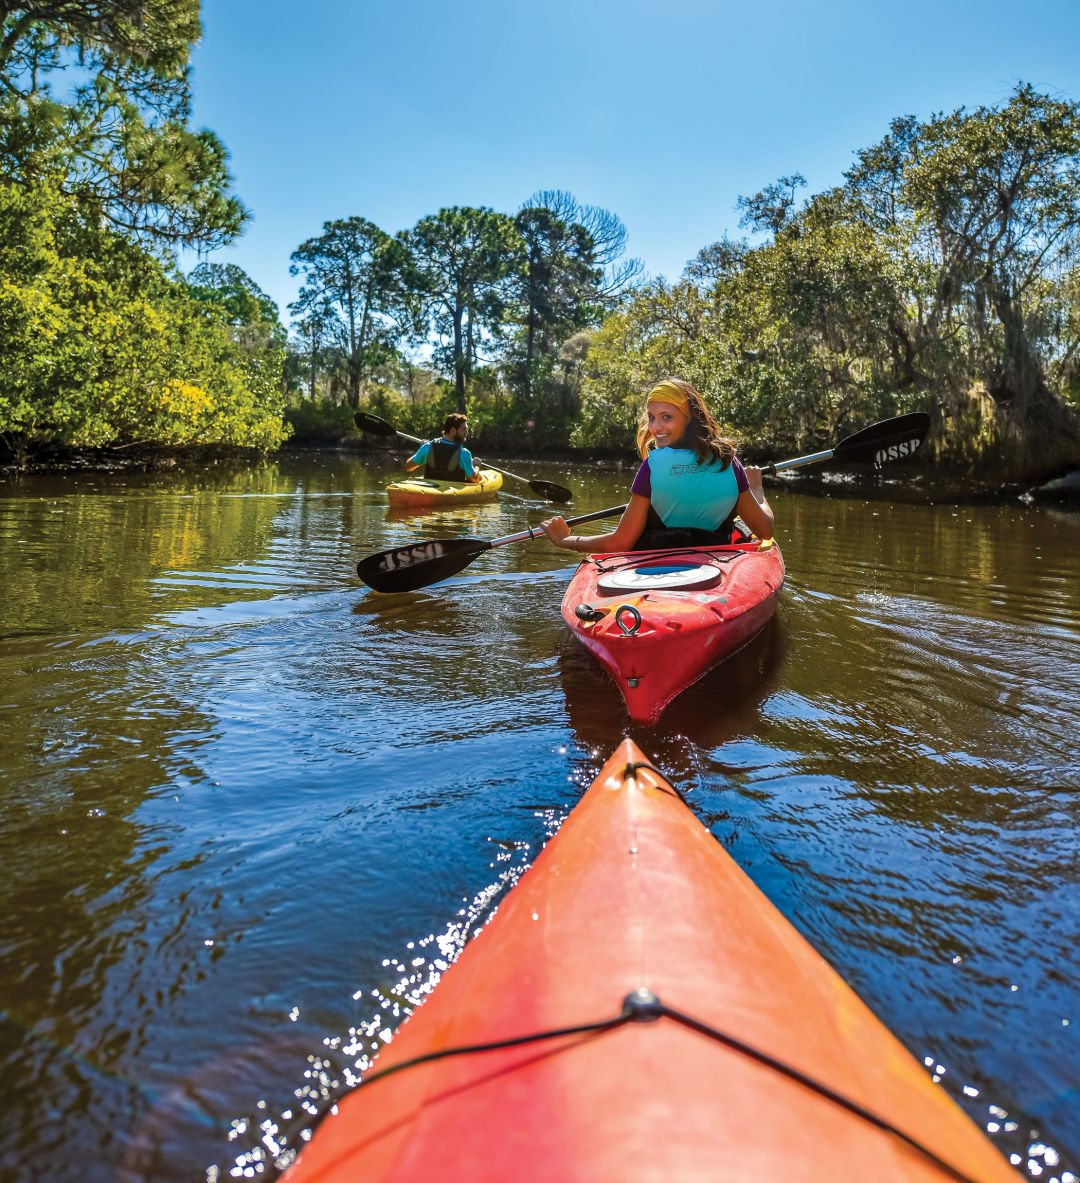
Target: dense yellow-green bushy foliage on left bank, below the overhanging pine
101 348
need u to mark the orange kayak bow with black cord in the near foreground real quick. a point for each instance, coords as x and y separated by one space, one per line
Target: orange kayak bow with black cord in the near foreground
638 1012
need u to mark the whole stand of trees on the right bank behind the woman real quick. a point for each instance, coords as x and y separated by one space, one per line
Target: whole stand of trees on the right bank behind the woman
942 276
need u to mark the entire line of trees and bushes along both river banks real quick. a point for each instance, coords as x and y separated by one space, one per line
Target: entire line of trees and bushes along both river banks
942 276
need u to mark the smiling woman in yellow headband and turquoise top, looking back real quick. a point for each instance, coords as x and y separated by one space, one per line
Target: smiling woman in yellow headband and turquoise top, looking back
690 486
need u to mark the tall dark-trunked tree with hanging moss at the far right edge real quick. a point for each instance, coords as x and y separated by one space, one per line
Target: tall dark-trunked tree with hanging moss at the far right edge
994 197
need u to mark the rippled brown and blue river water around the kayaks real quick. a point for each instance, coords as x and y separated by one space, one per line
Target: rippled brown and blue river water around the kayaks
249 809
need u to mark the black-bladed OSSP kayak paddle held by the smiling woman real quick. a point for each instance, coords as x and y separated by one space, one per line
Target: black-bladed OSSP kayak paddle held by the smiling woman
423 564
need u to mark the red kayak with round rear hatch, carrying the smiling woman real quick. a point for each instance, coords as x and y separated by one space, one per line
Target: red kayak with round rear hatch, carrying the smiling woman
658 620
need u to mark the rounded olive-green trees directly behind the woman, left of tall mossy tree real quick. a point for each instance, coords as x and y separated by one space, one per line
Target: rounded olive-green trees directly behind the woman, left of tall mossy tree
791 341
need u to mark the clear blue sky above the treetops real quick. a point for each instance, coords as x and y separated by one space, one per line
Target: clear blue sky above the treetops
664 114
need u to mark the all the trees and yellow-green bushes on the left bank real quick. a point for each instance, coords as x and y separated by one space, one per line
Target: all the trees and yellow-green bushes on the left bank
104 344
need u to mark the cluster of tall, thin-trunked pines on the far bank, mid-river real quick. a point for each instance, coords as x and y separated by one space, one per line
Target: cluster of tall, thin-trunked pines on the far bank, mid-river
505 306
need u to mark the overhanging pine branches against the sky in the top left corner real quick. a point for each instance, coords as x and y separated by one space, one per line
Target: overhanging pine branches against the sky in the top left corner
96 96
